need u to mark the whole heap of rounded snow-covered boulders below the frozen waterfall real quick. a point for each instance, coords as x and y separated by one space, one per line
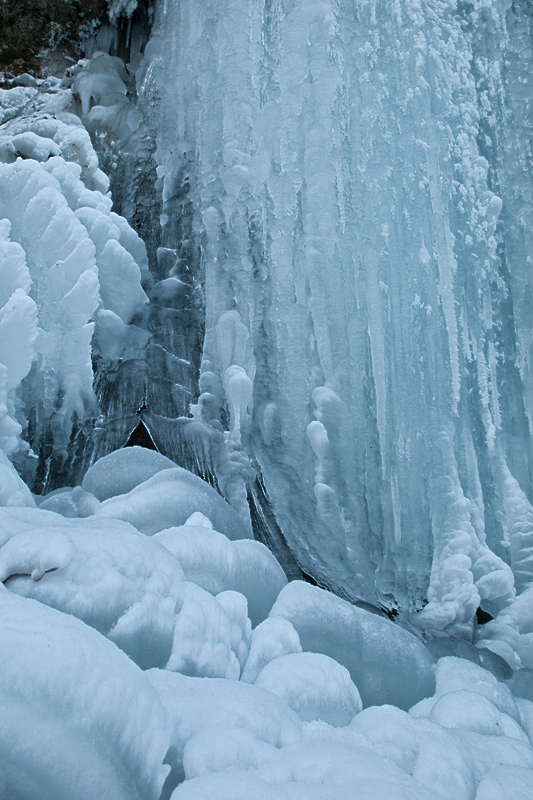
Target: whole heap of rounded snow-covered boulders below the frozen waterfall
128 673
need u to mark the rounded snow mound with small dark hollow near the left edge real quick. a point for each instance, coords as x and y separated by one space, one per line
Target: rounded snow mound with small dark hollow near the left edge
94 573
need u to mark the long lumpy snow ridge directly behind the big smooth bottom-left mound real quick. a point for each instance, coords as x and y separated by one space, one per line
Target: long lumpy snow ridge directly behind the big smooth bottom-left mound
127 586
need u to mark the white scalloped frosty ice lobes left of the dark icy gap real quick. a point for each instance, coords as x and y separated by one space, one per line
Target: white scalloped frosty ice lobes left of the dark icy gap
67 263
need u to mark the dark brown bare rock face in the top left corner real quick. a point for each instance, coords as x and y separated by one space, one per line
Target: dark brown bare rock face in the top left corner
41 35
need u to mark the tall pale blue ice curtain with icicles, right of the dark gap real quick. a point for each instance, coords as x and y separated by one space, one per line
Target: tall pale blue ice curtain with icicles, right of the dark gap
358 177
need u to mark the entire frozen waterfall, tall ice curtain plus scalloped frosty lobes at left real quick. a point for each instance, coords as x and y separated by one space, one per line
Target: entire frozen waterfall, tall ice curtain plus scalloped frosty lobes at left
327 314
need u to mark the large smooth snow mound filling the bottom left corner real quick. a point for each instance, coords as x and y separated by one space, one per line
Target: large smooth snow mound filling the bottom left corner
78 717
